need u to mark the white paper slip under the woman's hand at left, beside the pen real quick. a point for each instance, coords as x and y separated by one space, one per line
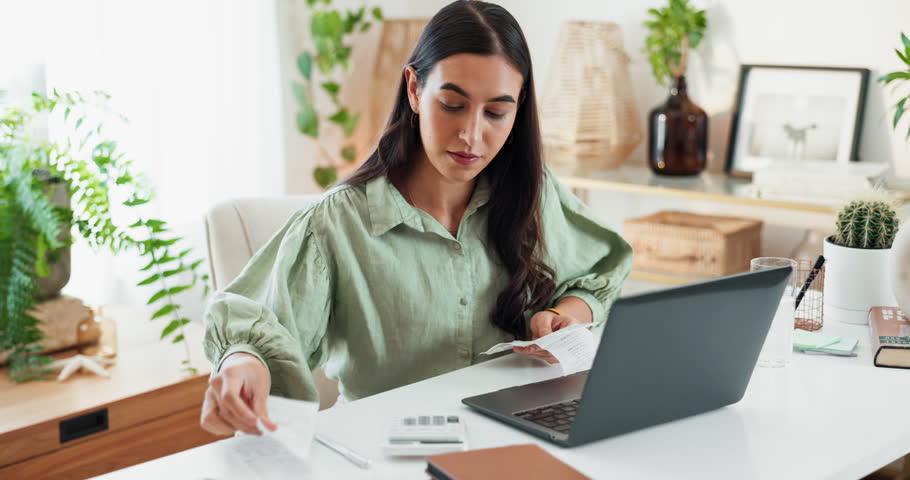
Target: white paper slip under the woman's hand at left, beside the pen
282 453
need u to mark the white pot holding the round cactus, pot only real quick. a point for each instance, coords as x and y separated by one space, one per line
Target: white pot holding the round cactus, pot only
856 279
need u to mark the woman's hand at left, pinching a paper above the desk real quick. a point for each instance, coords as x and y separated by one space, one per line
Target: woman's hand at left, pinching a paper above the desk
236 397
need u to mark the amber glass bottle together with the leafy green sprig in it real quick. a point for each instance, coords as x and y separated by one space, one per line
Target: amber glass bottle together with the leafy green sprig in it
678 128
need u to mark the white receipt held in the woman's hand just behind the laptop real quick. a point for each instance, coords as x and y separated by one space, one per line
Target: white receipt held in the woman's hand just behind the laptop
573 346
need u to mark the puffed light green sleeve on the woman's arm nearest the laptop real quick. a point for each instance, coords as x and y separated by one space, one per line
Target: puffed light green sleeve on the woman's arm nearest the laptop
591 261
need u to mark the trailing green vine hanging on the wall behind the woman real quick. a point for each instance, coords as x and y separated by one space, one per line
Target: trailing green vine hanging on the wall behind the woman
332 56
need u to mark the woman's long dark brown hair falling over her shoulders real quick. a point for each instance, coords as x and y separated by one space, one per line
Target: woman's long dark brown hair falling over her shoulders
516 174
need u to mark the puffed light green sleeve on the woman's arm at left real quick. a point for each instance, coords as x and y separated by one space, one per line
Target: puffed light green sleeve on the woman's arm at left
277 309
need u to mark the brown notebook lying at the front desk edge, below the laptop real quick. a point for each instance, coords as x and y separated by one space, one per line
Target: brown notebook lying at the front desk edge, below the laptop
525 462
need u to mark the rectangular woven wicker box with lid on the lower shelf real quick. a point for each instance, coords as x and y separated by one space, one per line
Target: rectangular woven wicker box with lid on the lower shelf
688 243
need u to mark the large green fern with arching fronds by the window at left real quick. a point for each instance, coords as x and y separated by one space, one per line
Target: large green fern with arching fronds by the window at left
92 168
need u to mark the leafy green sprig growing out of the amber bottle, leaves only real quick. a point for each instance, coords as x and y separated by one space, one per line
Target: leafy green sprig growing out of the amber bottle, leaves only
673 31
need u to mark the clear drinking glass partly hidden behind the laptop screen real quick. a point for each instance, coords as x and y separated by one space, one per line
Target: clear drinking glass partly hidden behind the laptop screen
778 347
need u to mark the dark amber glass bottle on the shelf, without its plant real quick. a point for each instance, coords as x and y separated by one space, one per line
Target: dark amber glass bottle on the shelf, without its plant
678 134
